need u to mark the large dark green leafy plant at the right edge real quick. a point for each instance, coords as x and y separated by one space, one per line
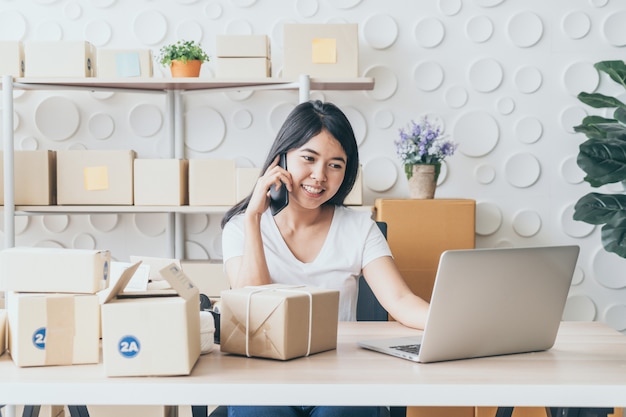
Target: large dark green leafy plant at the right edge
603 158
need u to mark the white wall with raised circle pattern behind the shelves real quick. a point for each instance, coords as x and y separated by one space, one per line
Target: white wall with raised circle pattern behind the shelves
502 75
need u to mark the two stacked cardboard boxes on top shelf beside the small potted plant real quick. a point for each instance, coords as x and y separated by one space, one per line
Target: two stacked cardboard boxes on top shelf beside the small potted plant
243 56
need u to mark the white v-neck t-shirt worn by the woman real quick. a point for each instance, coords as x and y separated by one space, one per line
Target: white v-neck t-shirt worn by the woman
353 241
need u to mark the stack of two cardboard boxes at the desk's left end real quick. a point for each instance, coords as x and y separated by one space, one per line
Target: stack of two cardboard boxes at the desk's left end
52 306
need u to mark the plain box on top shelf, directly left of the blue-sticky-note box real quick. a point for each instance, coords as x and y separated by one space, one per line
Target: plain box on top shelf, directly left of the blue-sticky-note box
59 59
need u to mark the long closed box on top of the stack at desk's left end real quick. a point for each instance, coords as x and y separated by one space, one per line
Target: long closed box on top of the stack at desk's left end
51 270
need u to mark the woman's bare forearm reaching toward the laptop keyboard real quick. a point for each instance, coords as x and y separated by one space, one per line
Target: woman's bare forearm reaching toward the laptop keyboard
394 294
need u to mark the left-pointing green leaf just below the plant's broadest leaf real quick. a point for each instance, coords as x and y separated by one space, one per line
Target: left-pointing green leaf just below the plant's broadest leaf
596 208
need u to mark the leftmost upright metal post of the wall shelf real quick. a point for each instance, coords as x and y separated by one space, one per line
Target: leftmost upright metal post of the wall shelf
9 184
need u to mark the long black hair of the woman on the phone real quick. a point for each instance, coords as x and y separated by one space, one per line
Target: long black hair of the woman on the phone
305 121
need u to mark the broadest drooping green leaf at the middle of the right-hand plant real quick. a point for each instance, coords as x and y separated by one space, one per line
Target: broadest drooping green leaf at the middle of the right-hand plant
604 161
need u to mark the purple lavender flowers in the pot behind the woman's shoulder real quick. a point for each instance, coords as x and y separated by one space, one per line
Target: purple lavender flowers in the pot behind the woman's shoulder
422 143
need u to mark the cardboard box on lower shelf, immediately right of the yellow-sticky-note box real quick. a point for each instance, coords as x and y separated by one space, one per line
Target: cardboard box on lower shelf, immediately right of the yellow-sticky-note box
160 182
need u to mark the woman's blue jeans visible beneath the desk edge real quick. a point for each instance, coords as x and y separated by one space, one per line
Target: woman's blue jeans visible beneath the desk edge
301 411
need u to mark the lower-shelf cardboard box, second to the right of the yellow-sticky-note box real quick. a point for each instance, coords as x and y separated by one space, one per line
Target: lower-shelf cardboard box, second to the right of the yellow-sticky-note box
212 182
